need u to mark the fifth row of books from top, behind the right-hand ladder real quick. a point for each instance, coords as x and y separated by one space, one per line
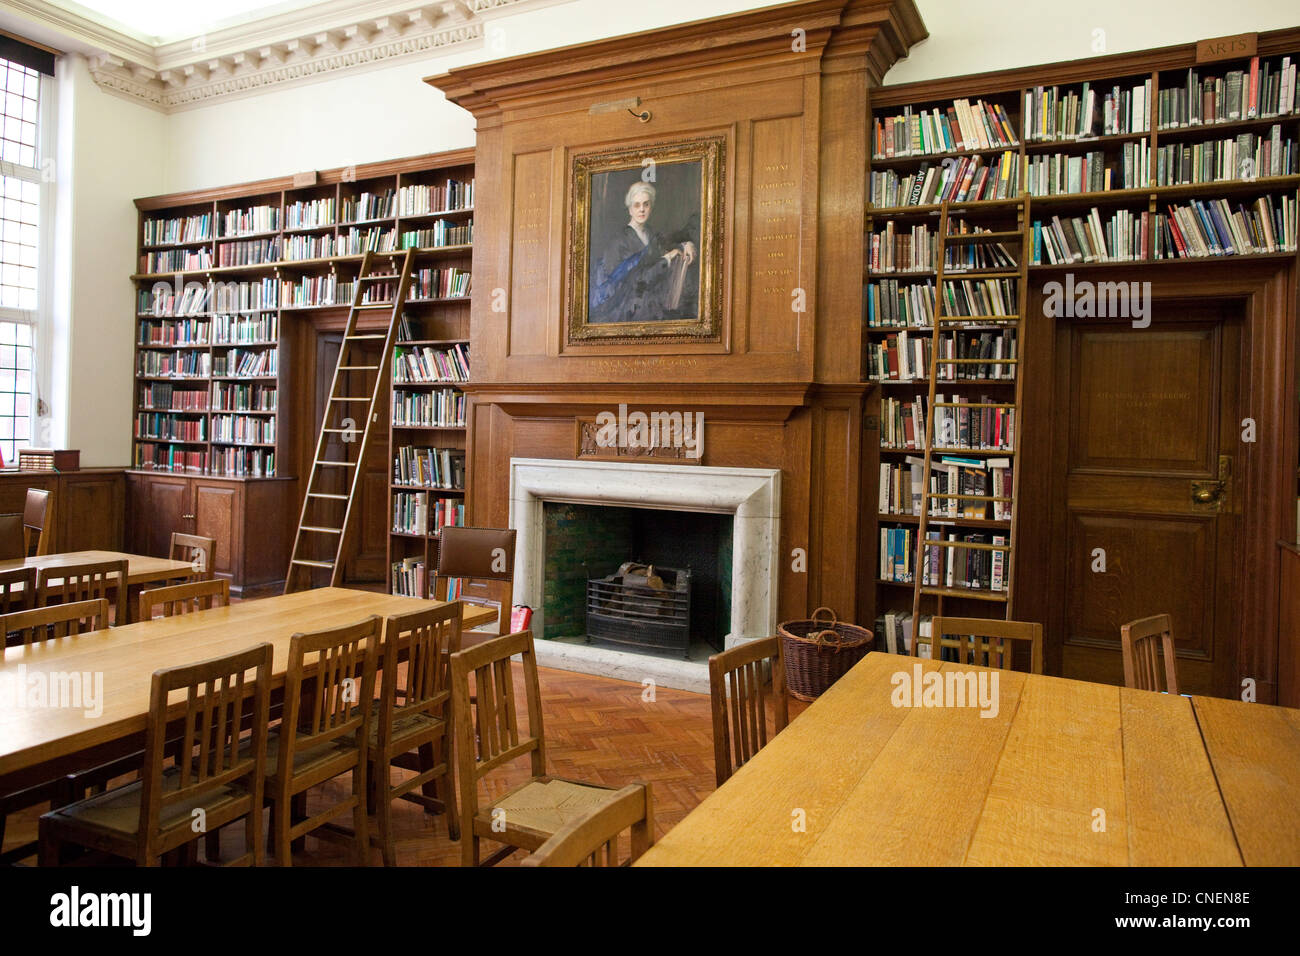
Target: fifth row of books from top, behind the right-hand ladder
908 358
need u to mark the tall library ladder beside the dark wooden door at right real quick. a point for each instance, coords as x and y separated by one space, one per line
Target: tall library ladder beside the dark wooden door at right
931 498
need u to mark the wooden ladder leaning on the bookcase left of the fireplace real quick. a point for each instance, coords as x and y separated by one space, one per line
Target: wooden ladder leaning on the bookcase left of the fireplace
332 486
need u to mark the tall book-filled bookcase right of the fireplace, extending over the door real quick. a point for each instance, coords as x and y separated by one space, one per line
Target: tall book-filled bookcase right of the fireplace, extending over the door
1143 162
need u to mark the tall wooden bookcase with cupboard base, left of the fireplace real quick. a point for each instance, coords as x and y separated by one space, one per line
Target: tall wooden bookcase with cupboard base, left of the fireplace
266 278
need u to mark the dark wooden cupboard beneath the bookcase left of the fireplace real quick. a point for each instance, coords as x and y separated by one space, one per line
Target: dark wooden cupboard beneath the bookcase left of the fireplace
252 521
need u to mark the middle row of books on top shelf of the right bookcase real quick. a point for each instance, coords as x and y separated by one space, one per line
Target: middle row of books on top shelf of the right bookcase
1051 115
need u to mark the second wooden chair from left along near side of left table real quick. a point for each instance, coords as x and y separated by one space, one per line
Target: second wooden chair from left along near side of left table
323 734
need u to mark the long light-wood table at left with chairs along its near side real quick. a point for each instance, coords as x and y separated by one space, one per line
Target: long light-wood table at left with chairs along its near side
37 741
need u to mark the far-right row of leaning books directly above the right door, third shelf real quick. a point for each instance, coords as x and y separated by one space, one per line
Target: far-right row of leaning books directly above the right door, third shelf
1215 230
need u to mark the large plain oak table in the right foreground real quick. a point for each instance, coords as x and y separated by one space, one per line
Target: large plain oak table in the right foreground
1175 782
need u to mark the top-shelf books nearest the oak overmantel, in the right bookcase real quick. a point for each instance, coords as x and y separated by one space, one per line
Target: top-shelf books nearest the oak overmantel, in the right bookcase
961 127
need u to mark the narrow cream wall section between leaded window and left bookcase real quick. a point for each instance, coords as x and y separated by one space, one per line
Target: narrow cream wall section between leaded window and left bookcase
110 152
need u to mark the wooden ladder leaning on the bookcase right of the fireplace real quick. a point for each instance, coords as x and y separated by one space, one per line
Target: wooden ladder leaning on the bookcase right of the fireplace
929 496
